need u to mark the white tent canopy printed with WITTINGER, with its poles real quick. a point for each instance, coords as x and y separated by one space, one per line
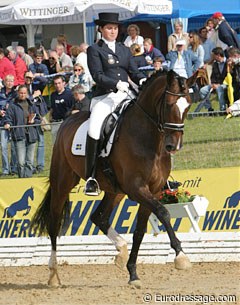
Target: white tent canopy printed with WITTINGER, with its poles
31 13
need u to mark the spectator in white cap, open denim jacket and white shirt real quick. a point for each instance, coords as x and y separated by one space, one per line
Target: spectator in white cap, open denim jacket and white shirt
183 62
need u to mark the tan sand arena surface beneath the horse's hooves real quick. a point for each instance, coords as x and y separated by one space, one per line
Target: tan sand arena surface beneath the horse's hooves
106 284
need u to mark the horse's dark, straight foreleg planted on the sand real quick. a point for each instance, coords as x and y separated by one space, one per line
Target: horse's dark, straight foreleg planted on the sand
143 215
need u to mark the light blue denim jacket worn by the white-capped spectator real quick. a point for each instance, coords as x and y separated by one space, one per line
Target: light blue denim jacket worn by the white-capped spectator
192 62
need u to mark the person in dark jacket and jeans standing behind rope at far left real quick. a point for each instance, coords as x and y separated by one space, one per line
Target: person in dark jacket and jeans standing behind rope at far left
23 112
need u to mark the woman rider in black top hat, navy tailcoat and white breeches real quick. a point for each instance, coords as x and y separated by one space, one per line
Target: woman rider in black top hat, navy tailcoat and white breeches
111 64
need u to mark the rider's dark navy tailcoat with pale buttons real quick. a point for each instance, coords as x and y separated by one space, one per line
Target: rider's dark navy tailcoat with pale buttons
107 67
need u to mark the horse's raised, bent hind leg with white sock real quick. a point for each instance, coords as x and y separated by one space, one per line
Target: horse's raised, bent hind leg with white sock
101 218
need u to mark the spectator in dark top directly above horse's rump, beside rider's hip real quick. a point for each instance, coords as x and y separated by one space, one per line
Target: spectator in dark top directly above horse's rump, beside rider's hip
81 101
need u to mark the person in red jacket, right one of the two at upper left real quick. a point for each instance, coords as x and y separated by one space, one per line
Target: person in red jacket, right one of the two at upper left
19 65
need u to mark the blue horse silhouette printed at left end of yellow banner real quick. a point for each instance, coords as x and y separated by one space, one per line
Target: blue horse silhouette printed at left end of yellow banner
20 205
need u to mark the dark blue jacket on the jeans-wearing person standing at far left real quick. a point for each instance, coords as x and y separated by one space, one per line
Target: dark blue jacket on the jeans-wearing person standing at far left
15 116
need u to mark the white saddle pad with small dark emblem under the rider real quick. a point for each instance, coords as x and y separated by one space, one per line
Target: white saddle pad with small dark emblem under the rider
79 141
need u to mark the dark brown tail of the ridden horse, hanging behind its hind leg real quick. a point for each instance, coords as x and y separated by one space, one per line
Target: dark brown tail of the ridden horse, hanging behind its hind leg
41 218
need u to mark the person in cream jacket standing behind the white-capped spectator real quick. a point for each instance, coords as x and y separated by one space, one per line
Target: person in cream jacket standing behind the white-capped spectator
176 35
